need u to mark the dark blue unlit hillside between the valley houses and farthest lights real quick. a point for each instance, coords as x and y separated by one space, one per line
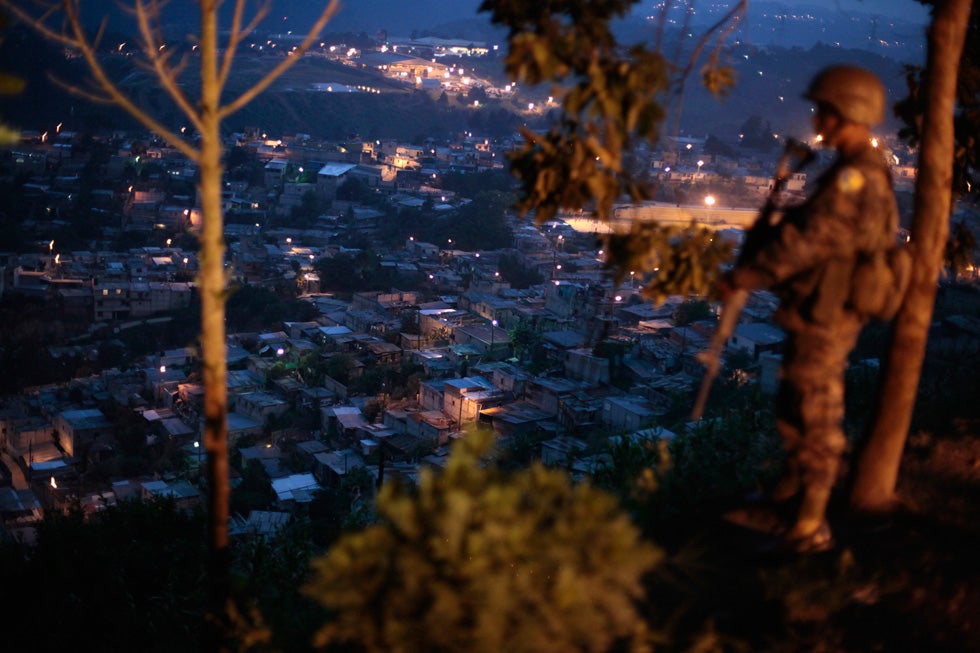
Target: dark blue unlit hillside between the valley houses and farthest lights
400 112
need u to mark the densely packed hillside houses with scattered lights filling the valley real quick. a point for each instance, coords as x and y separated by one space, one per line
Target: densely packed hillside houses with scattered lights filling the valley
381 380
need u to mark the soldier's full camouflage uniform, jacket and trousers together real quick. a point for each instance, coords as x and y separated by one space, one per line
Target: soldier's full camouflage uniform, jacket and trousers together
808 260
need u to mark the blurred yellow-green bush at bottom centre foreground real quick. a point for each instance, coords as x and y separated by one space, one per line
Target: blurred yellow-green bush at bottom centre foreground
481 560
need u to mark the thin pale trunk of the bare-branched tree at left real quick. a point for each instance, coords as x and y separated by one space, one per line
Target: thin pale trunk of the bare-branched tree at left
213 289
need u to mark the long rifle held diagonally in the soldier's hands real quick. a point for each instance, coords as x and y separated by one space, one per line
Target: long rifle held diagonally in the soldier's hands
801 155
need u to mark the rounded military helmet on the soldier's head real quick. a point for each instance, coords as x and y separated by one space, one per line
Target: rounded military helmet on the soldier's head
855 93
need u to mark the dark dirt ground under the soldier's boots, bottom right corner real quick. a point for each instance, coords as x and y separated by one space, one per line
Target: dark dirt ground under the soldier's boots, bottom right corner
908 582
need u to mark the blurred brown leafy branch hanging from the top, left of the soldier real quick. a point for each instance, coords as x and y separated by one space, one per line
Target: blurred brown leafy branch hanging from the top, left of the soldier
612 105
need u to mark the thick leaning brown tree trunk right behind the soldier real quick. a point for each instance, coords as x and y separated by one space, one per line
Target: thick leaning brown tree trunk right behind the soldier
877 469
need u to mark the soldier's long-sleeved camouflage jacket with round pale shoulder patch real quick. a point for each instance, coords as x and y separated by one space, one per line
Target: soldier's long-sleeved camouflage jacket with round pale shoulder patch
808 258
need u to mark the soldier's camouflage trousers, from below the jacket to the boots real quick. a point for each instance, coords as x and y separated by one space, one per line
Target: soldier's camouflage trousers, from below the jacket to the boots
810 401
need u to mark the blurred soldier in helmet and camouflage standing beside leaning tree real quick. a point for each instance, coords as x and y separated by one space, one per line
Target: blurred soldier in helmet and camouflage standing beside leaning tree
808 260
